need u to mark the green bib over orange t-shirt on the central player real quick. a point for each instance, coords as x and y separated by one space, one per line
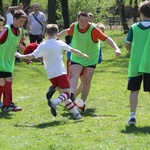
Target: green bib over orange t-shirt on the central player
87 41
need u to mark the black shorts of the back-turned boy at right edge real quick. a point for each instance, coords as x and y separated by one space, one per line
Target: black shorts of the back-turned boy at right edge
134 83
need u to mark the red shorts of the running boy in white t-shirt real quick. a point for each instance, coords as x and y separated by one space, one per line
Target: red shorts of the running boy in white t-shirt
61 81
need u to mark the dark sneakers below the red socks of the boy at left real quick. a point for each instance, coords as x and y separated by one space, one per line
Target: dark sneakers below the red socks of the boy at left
12 107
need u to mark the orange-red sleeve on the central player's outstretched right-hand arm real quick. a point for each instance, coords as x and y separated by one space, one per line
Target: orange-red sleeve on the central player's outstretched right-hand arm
98 35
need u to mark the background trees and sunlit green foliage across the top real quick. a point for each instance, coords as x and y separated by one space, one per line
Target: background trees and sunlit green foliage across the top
64 12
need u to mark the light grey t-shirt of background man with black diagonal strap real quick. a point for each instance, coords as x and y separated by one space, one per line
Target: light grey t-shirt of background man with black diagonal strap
36 28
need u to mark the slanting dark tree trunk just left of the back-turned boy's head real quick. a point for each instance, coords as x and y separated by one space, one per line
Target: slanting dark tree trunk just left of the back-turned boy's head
121 6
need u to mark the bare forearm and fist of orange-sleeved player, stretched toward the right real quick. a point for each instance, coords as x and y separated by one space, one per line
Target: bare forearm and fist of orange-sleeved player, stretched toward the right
113 45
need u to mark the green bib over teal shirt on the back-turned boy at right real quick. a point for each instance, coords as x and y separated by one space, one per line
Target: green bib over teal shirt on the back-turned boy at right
139 57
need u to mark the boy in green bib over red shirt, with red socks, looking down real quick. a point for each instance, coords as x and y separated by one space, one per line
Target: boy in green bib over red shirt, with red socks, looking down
10 35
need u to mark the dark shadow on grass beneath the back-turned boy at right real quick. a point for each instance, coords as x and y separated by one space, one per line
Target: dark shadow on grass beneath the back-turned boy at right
136 130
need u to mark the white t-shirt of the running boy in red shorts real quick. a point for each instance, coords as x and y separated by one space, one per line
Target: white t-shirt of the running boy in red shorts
51 51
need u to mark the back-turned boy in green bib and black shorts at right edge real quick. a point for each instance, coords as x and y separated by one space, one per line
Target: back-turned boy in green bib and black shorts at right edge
138 44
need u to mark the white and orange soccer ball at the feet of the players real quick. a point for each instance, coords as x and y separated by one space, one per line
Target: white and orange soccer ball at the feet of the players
80 105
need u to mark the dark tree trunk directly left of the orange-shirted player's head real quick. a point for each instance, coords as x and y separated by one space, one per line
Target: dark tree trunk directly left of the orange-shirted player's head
65 14
